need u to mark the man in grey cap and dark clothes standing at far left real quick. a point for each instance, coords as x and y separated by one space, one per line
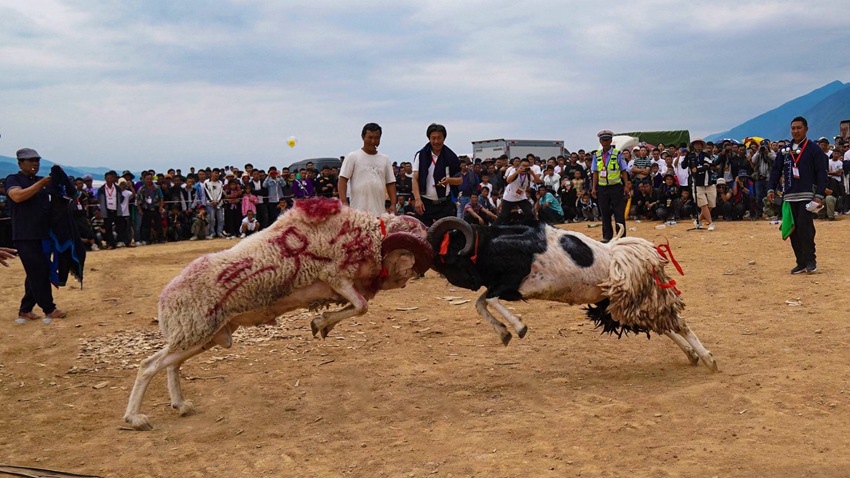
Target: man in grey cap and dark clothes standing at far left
30 226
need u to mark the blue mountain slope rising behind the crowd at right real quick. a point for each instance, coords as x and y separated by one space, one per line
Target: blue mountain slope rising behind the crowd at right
823 108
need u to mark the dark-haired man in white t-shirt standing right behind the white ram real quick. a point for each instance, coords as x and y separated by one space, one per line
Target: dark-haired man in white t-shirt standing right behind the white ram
369 173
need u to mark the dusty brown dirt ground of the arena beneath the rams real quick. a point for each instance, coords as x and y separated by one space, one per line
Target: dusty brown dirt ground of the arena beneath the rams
432 392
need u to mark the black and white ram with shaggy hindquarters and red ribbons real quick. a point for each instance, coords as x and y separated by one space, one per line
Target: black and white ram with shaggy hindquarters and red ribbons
624 278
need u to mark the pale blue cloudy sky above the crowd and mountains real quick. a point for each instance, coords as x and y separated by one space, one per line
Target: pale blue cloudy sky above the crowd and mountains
159 84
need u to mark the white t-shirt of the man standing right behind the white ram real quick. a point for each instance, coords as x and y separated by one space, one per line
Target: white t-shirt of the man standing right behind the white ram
368 176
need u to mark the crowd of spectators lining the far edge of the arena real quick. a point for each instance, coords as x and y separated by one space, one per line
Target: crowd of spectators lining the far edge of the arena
233 203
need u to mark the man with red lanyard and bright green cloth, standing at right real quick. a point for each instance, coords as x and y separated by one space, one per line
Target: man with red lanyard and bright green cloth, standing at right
803 167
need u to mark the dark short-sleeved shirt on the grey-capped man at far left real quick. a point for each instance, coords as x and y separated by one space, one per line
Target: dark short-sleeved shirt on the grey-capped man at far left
30 219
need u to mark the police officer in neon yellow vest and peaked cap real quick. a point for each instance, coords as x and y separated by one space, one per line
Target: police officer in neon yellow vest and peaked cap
610 184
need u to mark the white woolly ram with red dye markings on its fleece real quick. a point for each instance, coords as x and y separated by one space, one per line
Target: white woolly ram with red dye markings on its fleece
317 254
